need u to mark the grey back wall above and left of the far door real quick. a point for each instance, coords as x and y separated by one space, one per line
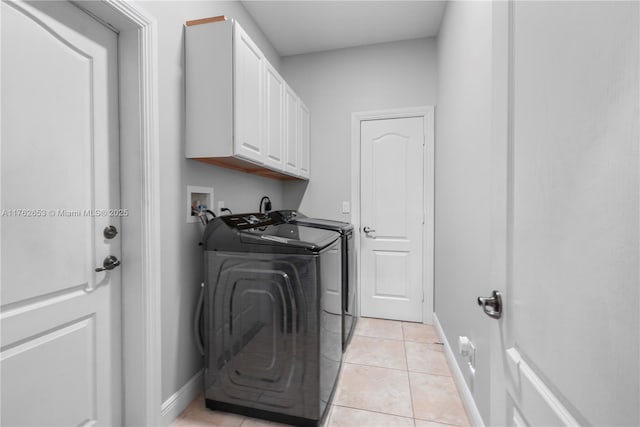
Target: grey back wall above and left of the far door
337 83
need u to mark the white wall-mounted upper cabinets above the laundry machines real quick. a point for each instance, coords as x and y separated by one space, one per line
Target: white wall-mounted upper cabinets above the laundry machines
240 113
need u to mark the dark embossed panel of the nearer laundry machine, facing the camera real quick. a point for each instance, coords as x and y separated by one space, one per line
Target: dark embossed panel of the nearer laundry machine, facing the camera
258 353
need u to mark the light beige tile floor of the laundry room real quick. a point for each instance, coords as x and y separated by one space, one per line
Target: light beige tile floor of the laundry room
394 374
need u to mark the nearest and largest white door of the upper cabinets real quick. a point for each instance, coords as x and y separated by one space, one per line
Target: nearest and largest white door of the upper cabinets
248 68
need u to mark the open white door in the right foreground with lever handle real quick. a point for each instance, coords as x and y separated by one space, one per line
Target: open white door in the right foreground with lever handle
568 342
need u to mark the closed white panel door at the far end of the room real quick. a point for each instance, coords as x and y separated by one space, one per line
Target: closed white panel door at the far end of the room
392 214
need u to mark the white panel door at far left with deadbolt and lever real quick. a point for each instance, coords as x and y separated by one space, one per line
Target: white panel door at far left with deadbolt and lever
60 353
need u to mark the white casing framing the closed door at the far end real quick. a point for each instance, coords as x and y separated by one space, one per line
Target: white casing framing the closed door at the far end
427 113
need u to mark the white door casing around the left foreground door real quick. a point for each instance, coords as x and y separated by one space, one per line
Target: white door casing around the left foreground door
137 56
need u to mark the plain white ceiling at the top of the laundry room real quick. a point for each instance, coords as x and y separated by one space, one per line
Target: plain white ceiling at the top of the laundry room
295 27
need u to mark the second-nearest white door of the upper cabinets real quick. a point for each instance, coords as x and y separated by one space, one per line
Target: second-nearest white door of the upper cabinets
274 118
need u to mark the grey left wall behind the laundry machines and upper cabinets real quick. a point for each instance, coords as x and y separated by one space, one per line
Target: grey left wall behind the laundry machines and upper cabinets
181 256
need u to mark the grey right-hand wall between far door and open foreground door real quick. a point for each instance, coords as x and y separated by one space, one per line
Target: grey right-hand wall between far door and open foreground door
463 183
